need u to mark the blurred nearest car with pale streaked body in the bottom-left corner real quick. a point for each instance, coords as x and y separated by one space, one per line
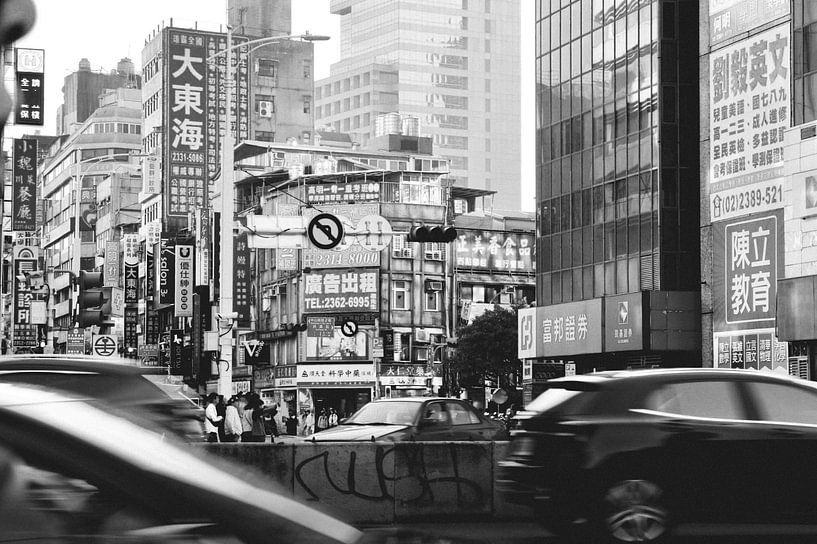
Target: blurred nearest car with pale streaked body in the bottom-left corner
72 472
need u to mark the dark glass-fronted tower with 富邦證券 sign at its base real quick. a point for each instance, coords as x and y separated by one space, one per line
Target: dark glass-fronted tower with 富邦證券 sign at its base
617 189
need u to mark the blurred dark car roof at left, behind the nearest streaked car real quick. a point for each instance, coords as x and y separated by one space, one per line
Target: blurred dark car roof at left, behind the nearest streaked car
117 383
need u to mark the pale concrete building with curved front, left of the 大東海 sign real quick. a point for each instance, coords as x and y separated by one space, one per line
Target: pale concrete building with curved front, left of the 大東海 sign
88 185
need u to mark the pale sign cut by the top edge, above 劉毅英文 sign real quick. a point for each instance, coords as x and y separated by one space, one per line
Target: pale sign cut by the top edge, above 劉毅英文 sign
729 18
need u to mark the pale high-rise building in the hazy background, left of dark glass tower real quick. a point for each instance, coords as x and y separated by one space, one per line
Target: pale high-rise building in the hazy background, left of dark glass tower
454 65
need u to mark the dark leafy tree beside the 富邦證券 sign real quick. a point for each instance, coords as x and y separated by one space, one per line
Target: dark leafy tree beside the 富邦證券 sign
487 349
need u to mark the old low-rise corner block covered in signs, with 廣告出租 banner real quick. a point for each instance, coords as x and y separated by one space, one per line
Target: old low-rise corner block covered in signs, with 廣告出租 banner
405 298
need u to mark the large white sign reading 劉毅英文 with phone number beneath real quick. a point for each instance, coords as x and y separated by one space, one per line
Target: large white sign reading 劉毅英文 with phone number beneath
750 109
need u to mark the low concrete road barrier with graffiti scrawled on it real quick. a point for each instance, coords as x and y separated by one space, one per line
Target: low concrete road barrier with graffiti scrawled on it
383 482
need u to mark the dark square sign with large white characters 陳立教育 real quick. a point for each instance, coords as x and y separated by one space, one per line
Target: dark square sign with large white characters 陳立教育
747 262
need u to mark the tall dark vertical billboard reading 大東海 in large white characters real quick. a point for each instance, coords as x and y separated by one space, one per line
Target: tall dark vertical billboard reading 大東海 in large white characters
194 109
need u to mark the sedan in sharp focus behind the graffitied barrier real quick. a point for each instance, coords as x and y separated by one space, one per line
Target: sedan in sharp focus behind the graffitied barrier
414 418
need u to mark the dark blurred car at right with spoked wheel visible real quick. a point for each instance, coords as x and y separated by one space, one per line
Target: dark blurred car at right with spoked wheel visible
632 455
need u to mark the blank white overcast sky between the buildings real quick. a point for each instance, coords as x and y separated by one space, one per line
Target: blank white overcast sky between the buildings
104 31
